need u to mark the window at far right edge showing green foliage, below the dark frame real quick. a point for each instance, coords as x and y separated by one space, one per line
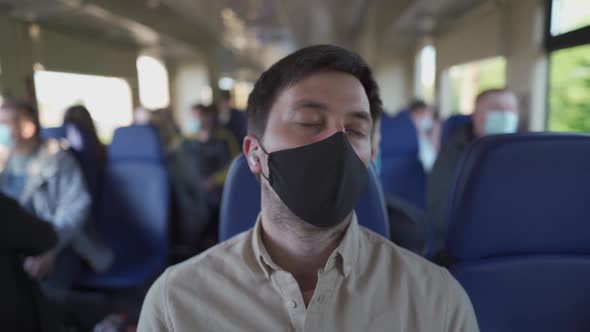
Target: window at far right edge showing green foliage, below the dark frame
569 90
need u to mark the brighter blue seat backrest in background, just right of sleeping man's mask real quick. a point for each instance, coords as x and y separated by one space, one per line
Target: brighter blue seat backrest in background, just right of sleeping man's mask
402 174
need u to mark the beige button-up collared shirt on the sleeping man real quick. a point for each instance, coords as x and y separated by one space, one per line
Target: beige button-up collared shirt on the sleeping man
368 284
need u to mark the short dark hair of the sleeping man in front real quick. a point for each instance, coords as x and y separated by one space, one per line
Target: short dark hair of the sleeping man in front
298 66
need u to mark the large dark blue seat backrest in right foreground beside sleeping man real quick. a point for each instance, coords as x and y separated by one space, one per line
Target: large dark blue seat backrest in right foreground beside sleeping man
518 230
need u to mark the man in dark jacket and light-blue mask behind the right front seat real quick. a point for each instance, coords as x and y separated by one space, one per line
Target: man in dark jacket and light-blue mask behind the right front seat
495 113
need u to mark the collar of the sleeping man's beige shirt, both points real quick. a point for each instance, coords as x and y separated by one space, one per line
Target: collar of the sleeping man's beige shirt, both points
346 253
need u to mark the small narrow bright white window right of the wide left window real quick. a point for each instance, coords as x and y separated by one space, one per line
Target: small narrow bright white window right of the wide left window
154 91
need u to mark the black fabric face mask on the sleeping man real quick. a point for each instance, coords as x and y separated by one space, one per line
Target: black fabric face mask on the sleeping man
321 182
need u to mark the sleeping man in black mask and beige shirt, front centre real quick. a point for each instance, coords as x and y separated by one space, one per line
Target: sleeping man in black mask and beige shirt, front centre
307 265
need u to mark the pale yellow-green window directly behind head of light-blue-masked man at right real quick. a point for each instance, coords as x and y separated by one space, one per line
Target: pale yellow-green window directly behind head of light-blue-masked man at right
468 80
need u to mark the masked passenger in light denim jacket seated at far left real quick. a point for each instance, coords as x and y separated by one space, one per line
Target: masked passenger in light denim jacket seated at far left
47 181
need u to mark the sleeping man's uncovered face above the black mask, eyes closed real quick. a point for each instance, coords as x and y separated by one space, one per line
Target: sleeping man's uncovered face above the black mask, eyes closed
316 108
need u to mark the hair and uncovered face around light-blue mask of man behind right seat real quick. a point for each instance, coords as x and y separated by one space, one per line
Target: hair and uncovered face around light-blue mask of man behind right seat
494 102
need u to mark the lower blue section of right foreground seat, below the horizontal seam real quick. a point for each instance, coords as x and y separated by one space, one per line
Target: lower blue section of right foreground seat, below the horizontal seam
531 293
